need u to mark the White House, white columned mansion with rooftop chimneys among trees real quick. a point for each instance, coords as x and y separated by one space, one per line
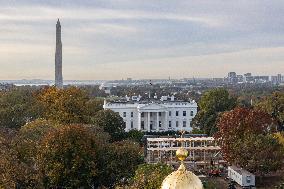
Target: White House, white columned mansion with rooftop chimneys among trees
154 114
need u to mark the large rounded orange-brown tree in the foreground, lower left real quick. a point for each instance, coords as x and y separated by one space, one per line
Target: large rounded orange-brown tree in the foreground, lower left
67 157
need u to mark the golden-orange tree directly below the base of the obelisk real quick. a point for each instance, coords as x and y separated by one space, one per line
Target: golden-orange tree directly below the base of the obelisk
64 105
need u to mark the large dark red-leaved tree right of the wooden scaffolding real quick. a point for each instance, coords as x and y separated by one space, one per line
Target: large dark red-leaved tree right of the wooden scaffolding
244 136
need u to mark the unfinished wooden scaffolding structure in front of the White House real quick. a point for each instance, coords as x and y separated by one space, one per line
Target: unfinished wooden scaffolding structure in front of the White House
203 151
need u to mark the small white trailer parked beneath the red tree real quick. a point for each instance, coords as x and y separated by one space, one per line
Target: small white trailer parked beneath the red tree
241 176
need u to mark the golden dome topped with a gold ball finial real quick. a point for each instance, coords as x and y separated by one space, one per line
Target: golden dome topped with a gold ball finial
182 179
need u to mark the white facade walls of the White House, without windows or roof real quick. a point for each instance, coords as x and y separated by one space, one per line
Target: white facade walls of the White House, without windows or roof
168 114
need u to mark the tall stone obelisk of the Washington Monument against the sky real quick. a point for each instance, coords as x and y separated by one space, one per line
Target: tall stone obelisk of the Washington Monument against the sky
58 57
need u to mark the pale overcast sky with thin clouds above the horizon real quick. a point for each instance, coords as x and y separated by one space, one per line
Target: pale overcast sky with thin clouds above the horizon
115 39
